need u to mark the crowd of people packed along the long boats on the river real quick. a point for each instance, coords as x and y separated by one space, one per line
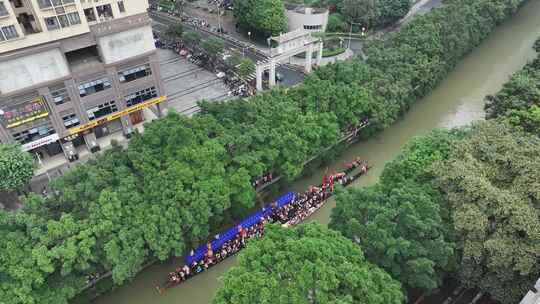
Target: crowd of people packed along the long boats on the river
301 207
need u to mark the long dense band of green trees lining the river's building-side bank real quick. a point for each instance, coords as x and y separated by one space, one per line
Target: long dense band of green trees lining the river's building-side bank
184 178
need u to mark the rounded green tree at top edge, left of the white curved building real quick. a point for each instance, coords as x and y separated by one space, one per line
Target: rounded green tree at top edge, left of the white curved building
266 17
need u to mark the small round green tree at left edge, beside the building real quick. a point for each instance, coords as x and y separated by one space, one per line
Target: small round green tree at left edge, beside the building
16 167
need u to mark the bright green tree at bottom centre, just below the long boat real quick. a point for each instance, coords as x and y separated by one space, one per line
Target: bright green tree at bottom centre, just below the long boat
306 264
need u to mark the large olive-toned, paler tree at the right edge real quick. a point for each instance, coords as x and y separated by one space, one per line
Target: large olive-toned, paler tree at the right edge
492 183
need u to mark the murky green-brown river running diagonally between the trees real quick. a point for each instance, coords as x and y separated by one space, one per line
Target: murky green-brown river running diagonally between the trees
457 101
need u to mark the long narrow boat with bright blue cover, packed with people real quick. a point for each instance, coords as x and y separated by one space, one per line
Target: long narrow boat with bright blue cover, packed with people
197 260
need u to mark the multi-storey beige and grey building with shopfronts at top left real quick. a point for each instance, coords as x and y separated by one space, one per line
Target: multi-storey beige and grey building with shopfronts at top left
72 71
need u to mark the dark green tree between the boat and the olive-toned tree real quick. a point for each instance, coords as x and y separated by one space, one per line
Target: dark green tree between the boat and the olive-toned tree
400 230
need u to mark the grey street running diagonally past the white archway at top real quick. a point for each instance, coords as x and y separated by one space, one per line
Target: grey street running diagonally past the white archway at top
291 77
